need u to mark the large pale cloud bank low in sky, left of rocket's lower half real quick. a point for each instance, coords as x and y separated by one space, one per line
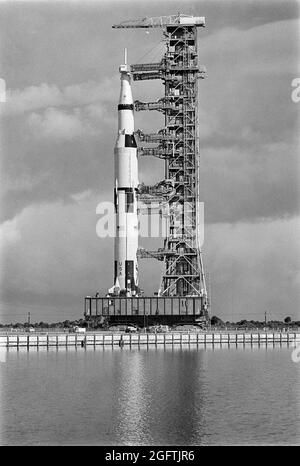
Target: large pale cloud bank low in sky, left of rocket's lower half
53 249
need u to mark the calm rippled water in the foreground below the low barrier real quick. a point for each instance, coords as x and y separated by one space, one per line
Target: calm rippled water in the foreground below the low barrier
163 396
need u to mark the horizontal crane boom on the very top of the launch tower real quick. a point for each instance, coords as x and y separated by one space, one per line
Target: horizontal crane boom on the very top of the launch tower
162 21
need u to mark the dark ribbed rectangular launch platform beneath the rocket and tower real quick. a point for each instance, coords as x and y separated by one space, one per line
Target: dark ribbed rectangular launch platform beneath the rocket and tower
145 310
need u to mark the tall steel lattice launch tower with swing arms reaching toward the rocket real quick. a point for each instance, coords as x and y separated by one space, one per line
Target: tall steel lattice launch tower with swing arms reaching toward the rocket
177 144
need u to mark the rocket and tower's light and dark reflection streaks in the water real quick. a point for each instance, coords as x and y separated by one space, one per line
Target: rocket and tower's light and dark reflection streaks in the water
159 406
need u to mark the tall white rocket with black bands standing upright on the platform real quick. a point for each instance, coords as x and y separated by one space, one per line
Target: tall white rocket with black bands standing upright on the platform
125 195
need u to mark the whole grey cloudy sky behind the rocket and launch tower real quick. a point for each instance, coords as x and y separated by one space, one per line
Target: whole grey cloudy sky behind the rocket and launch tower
58 127
